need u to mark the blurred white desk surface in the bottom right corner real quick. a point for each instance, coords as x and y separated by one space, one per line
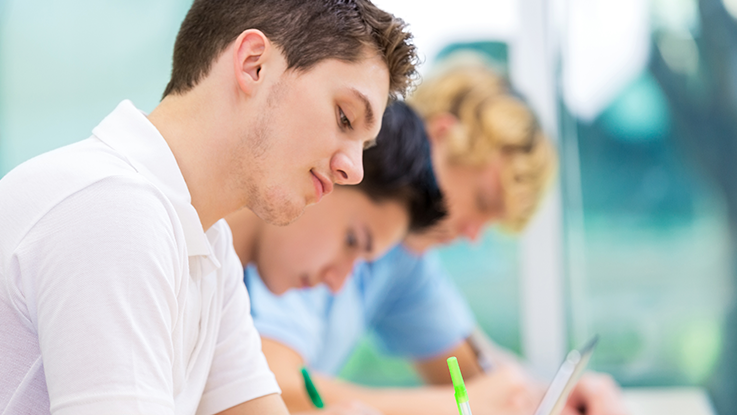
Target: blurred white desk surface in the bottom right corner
668 401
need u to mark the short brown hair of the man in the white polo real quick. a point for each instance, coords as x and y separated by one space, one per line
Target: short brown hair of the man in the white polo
306 31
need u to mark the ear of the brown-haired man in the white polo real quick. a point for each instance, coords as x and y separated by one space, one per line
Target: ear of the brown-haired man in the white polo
251 50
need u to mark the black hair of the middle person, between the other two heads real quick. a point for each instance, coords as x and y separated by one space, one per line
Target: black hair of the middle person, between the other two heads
399 168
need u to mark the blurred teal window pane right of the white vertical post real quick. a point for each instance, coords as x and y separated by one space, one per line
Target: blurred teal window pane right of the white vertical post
650 199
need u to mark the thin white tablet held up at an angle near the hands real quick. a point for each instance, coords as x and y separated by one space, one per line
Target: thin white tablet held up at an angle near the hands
557 394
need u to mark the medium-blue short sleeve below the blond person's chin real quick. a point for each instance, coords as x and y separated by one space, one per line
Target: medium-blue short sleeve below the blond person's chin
419 313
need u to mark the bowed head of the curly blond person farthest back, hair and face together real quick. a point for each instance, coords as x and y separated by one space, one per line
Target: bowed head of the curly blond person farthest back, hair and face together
485 140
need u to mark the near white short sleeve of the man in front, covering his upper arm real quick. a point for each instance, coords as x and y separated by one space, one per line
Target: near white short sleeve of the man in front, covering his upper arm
98 279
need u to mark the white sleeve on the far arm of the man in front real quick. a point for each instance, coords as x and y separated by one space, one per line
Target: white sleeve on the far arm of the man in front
239 371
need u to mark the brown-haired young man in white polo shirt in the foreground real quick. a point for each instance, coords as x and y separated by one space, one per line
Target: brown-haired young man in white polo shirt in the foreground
120 291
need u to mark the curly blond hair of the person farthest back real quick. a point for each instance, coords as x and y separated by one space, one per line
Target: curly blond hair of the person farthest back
492 122
